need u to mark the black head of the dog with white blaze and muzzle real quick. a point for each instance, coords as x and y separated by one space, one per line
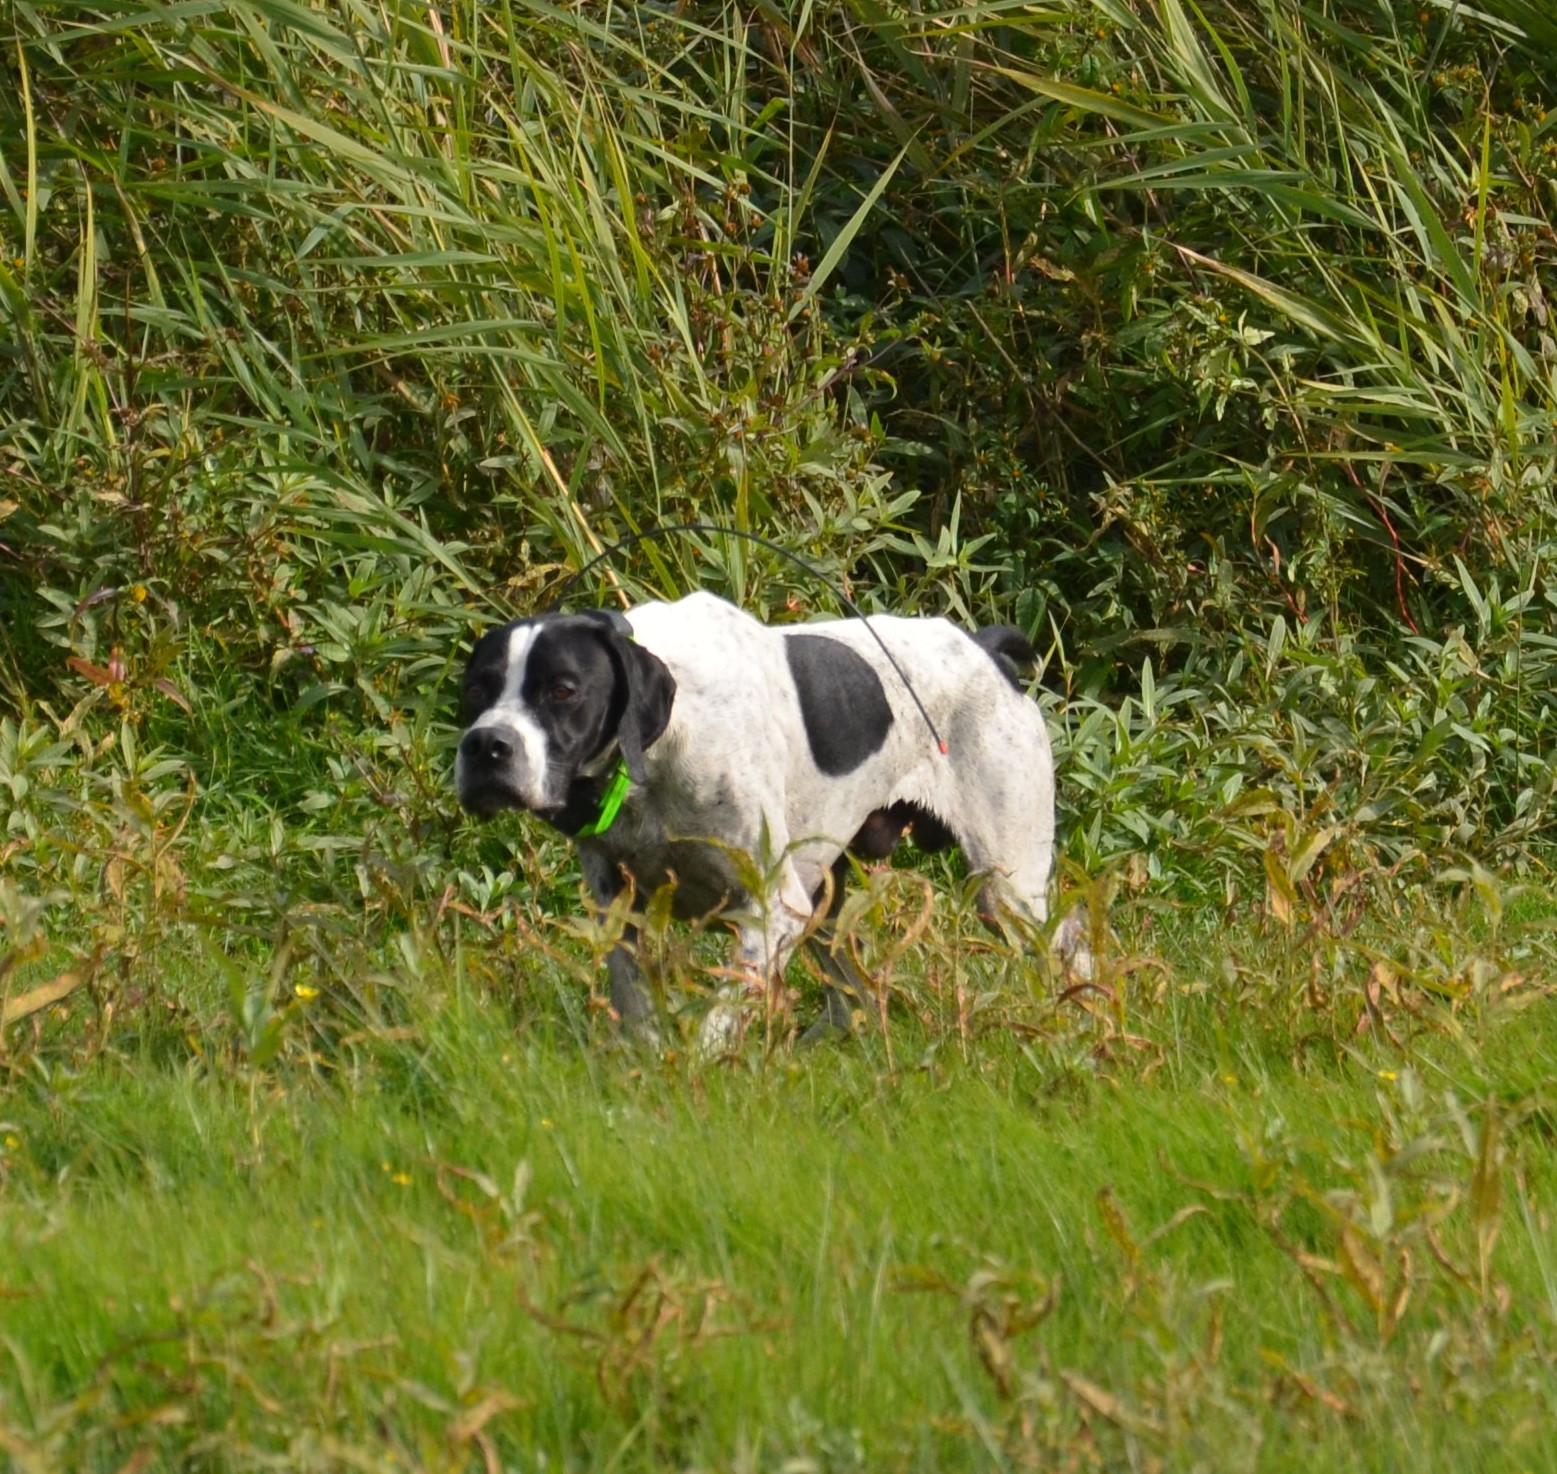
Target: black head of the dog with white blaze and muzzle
544 700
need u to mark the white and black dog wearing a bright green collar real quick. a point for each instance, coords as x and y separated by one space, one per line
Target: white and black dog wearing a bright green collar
678 737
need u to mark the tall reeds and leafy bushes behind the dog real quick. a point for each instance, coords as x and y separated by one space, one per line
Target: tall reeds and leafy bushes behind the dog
1211 346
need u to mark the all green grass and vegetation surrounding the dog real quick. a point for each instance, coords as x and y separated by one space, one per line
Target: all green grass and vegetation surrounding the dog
1211 343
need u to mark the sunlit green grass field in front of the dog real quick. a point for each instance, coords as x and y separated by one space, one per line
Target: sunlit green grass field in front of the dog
1235 1215
